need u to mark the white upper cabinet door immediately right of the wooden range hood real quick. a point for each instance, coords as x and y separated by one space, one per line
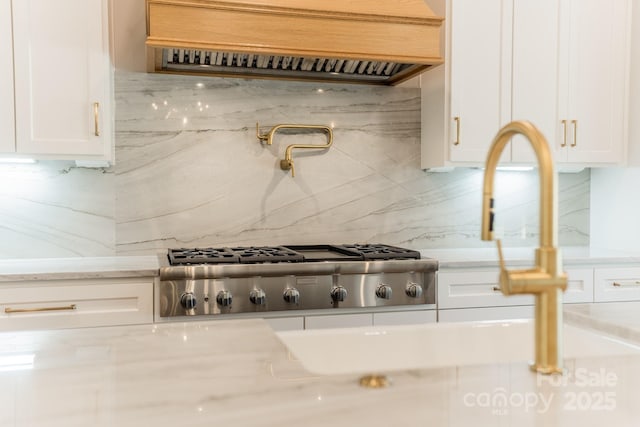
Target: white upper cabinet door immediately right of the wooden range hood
480 76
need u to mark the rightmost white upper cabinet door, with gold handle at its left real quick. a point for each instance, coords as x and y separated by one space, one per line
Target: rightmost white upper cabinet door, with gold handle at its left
593 79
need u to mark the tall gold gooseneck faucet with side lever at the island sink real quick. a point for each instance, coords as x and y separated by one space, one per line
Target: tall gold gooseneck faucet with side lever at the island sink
546 281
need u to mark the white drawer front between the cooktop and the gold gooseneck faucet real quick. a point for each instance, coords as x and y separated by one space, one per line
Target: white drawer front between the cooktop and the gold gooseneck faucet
474 289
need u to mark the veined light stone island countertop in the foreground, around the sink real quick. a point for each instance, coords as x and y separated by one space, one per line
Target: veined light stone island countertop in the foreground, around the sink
237 373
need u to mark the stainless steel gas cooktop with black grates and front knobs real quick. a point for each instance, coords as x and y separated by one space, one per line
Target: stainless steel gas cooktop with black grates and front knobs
259 279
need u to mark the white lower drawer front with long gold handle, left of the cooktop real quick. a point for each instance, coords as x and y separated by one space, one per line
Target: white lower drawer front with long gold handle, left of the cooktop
75 303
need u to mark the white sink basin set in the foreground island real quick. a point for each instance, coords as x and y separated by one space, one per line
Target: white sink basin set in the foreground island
389 348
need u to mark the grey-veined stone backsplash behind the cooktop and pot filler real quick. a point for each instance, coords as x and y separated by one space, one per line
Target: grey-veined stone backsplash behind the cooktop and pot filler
190 172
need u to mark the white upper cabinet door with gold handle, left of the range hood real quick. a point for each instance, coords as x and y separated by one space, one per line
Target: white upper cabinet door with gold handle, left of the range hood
62 82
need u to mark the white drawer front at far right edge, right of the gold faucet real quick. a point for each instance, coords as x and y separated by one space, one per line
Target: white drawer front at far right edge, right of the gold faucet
617 284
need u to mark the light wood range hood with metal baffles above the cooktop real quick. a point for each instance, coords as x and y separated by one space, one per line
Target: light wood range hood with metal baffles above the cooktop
356 41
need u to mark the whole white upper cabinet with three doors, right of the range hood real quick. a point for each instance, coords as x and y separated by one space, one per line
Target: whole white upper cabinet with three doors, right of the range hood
515 60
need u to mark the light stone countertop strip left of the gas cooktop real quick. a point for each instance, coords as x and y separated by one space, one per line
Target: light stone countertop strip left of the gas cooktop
78 268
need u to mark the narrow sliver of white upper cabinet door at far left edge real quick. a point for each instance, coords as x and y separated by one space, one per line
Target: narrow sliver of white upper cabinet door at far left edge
7 123
